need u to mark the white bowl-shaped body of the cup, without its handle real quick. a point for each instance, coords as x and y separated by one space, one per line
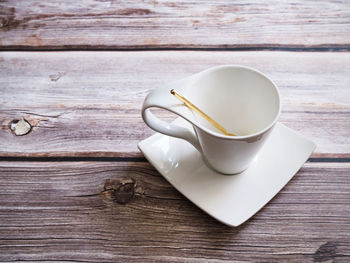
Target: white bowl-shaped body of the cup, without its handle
245 103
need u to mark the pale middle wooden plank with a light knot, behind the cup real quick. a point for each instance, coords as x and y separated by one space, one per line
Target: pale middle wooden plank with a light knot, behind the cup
88 103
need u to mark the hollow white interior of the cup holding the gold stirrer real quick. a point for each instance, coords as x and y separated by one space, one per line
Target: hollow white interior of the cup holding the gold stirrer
240 99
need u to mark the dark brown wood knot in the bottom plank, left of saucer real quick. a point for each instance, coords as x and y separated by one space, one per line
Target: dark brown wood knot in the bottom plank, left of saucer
122 191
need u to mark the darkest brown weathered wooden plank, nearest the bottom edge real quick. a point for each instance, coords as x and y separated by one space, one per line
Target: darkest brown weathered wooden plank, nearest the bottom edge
68 211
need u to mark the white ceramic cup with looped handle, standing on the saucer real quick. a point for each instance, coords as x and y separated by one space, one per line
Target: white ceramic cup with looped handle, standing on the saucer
242 100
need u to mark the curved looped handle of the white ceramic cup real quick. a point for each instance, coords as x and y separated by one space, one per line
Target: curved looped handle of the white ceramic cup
162 99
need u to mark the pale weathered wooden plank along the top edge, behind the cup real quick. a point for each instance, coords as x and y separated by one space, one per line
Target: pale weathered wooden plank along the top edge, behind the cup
173 24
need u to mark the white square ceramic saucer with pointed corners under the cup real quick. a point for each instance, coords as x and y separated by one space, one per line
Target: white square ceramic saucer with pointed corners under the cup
231 199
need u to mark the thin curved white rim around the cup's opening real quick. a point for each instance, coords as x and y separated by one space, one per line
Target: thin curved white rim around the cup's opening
250 136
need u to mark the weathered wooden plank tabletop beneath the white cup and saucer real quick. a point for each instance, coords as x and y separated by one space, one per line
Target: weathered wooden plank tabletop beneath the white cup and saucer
73 75
